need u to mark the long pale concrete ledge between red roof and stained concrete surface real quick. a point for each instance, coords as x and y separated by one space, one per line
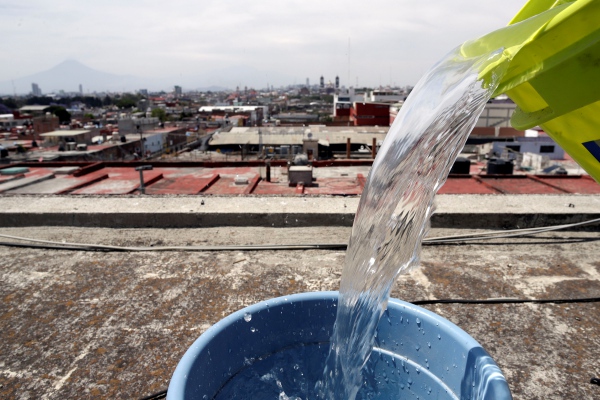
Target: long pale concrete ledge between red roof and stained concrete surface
453 211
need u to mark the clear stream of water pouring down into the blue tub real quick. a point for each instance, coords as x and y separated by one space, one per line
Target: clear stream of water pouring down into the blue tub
396 205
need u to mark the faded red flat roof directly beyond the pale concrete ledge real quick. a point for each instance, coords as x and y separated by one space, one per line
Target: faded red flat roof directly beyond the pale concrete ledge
219 179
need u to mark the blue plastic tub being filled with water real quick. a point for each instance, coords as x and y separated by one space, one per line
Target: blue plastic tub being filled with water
280 345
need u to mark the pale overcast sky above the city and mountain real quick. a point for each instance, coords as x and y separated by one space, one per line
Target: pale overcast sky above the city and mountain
232 42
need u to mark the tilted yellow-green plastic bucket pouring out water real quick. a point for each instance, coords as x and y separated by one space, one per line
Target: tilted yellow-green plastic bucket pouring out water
551 53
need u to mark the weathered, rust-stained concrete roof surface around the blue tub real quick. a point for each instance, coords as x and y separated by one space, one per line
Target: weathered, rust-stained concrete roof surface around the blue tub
80 324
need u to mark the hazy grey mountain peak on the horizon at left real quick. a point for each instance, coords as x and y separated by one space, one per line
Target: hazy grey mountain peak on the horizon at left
67 76
